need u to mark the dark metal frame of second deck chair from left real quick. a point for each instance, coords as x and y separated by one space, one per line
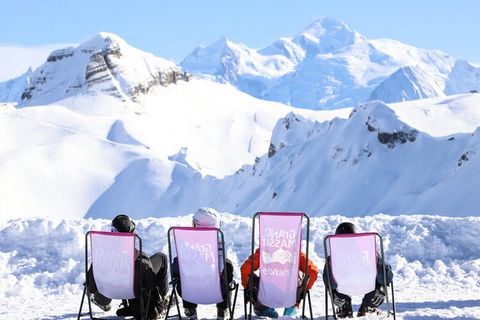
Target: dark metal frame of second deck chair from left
175 281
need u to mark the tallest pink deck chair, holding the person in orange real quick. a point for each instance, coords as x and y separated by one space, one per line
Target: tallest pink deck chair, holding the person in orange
280 238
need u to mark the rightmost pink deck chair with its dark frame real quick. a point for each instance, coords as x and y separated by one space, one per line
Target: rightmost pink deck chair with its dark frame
353 259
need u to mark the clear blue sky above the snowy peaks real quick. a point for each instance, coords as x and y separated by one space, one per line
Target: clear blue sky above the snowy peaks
173 28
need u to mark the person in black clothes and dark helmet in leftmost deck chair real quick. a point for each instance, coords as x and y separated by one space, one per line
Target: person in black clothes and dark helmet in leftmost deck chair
154 279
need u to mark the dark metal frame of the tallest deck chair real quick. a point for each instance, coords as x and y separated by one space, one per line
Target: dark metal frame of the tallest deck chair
306 293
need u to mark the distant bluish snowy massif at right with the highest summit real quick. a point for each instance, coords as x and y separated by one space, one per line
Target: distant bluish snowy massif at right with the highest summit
328 65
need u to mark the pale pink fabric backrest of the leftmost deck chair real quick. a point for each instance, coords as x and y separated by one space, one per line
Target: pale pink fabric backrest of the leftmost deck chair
113 263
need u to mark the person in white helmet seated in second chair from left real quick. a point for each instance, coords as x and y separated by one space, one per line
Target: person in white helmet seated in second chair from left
205 217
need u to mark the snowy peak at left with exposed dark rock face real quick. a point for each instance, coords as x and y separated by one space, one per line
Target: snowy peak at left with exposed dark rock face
104 64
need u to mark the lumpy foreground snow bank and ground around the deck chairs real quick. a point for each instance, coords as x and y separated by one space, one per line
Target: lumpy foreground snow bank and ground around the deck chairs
435 261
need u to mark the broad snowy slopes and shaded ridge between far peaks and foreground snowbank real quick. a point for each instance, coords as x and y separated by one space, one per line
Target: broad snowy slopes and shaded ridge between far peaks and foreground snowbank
96 157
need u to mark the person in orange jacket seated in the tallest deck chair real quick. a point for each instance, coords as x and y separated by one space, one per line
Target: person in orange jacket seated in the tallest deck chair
264 311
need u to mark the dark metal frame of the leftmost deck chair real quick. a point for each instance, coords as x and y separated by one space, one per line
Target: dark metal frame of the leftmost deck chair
144 314
